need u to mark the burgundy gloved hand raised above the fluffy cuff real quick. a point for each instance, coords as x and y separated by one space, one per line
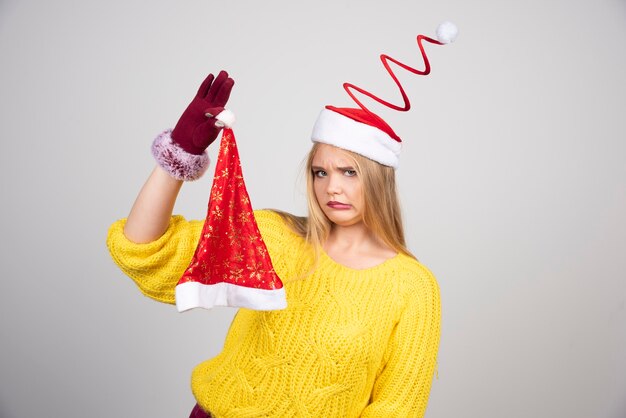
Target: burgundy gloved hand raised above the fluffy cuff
195 129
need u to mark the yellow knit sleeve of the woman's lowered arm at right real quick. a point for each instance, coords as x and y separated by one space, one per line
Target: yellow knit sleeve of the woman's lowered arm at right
403 385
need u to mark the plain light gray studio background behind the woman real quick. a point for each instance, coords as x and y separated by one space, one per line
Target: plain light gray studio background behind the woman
513 182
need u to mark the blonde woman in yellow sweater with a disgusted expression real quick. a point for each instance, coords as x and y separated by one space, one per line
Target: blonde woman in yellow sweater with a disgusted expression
360 334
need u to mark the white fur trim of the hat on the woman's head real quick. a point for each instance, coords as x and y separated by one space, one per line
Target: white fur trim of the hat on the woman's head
336 129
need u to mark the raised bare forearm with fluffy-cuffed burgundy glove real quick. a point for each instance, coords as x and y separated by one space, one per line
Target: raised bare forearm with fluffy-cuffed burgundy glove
181 155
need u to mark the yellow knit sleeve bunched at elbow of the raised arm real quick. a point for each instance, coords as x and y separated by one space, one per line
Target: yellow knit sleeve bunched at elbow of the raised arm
156 267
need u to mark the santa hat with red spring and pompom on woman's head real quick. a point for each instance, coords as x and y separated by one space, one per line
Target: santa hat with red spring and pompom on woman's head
362 131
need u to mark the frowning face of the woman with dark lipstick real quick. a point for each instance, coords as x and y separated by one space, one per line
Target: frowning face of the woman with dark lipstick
337 185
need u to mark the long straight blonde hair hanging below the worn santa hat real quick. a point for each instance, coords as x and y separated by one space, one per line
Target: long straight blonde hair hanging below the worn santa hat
381 207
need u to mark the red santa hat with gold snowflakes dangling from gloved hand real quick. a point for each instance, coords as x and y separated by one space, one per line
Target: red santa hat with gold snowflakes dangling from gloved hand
231 265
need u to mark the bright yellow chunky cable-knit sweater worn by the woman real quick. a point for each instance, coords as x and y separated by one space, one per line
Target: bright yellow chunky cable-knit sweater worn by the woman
351 343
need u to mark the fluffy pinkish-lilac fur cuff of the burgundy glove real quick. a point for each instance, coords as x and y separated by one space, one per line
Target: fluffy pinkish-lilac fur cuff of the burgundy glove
176 161
